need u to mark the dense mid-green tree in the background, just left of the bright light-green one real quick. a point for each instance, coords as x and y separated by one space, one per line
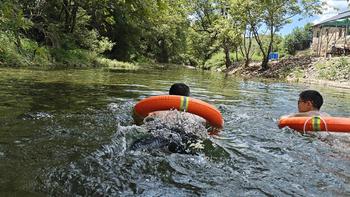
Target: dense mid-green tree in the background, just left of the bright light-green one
165 38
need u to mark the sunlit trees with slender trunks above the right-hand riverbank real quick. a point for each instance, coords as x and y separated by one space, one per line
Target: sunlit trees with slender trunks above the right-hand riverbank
235 23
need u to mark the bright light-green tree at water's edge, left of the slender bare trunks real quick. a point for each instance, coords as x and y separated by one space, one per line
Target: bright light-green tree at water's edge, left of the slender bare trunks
214 28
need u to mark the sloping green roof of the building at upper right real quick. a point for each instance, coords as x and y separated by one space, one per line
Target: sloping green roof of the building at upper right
340 20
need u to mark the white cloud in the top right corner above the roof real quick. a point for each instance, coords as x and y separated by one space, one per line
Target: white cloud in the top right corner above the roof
331 8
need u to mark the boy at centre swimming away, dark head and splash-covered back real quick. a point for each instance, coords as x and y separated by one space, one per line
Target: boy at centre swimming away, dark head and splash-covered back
173 130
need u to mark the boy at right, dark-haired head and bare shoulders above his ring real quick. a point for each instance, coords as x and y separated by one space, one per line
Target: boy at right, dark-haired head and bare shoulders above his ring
309 104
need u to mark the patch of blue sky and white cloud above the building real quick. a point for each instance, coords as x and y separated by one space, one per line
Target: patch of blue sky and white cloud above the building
331 8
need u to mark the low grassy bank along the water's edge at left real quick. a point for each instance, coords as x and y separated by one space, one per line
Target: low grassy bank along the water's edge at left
28 53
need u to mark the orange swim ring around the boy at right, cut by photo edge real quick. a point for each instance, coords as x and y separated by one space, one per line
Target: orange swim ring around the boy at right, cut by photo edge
316 123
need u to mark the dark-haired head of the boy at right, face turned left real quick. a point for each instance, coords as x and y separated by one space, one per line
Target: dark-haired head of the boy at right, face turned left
309 100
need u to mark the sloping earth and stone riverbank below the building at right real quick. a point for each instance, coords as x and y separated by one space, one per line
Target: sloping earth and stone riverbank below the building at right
333 72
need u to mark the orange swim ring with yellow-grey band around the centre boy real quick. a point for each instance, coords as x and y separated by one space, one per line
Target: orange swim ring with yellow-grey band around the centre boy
182 103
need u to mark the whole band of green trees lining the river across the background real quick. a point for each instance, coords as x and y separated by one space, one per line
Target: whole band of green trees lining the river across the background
156 30
